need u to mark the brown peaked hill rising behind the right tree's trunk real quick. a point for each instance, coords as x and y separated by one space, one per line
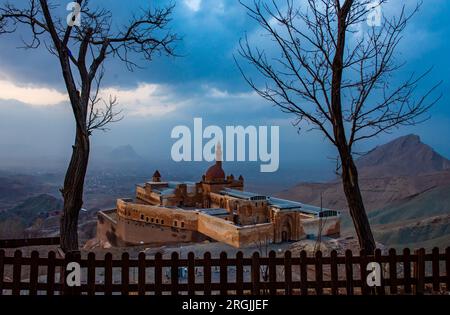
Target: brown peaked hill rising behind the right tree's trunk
391 172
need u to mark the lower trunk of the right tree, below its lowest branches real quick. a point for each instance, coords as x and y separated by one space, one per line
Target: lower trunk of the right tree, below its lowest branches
355 202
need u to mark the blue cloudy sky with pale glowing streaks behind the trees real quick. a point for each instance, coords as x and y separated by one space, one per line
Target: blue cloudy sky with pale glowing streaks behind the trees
35 117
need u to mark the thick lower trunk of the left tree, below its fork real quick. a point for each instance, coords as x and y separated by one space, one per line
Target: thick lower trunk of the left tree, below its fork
73 192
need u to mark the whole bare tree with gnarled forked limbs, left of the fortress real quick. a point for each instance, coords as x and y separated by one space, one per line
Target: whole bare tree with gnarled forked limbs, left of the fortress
81 49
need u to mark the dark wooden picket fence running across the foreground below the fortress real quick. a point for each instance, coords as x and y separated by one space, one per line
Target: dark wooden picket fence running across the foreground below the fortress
404 273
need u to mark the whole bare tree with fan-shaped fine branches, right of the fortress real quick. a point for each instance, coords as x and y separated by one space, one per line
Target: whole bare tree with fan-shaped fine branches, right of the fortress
335 74
